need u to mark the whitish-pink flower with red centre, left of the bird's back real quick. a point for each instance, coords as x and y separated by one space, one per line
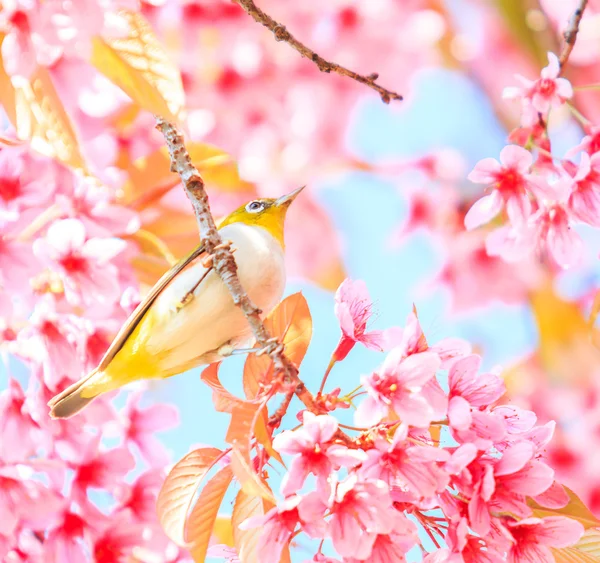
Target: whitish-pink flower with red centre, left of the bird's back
84 265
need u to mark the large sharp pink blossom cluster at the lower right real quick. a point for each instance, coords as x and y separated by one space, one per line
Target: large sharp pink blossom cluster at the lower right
437 454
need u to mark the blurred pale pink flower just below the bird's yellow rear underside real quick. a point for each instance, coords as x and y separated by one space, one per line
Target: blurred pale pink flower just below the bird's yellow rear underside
143 424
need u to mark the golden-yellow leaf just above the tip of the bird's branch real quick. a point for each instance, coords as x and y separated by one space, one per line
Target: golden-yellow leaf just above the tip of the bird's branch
140 66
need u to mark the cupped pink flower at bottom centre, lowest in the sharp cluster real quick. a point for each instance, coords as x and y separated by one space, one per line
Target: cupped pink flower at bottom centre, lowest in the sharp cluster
360 511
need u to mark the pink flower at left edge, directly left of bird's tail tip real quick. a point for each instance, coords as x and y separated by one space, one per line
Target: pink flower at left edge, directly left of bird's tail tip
21 435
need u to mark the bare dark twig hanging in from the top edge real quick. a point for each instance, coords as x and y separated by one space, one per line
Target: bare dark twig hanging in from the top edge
282 34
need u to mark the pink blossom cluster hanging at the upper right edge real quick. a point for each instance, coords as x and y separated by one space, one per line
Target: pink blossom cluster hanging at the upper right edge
542 196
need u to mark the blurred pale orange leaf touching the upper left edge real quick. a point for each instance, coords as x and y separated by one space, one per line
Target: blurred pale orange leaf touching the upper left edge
37 114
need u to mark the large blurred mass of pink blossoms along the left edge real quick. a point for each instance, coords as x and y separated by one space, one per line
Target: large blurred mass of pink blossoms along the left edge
65 287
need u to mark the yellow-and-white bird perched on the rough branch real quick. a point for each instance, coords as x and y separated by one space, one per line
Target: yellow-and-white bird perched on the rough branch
188 318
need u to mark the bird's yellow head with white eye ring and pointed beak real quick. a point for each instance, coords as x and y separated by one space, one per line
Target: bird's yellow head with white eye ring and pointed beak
267 213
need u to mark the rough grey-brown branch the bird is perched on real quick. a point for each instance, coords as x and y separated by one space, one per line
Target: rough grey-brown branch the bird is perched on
225 265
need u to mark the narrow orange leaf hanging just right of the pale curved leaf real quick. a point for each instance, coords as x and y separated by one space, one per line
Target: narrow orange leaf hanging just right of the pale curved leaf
200 525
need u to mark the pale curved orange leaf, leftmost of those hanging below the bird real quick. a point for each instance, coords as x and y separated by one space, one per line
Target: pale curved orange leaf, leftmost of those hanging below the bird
179 488
